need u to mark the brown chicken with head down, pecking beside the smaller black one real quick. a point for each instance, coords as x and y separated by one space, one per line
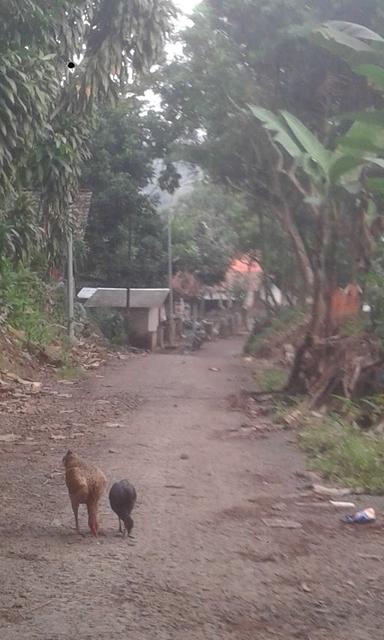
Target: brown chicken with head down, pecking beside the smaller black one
86 484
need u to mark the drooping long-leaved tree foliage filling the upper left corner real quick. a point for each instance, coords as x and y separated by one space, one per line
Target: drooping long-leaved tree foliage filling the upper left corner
46 113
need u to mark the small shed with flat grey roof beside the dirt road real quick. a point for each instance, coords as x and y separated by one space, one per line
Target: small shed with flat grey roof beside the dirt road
146 309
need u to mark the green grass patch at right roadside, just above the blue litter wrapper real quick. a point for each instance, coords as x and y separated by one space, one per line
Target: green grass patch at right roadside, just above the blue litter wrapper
346 455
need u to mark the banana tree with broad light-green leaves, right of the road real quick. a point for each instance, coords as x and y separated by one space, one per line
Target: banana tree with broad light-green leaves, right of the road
338 183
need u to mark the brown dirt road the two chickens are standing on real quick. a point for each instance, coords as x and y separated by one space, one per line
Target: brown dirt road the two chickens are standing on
203 564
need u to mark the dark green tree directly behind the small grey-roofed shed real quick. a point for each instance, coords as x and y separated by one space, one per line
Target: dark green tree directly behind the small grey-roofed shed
125 234
